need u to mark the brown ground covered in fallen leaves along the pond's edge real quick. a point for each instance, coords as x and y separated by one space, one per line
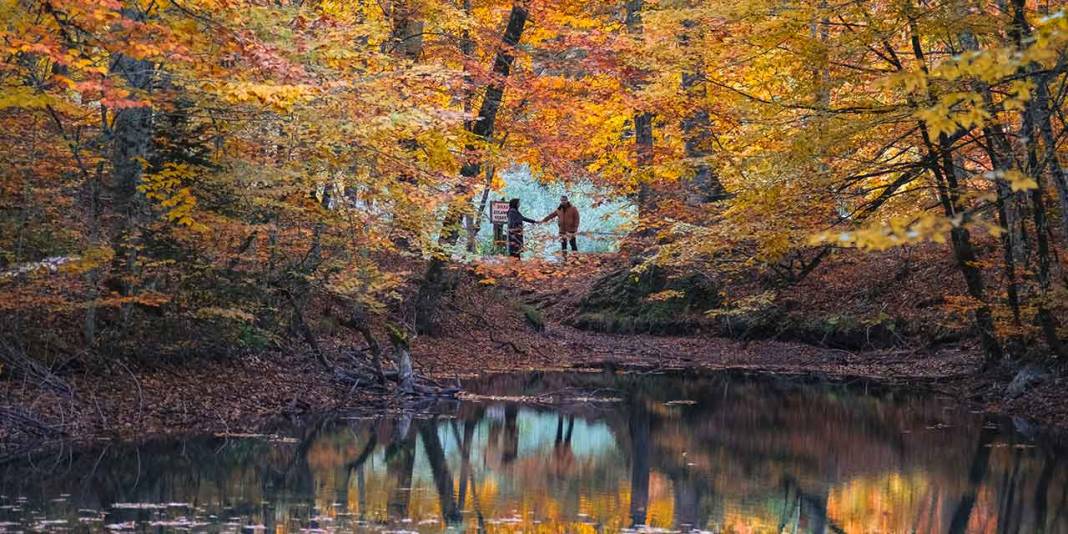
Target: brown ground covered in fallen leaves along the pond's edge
500 318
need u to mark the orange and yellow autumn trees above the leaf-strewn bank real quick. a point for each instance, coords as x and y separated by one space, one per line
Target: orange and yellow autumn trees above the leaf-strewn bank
194 166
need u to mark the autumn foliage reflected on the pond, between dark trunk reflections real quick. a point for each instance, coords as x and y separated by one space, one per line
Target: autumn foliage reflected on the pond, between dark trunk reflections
745 454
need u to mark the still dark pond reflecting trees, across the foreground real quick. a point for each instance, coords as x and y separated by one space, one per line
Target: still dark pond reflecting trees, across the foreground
579 453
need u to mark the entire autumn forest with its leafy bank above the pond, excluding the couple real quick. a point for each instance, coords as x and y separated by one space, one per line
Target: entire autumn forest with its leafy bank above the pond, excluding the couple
217 212
